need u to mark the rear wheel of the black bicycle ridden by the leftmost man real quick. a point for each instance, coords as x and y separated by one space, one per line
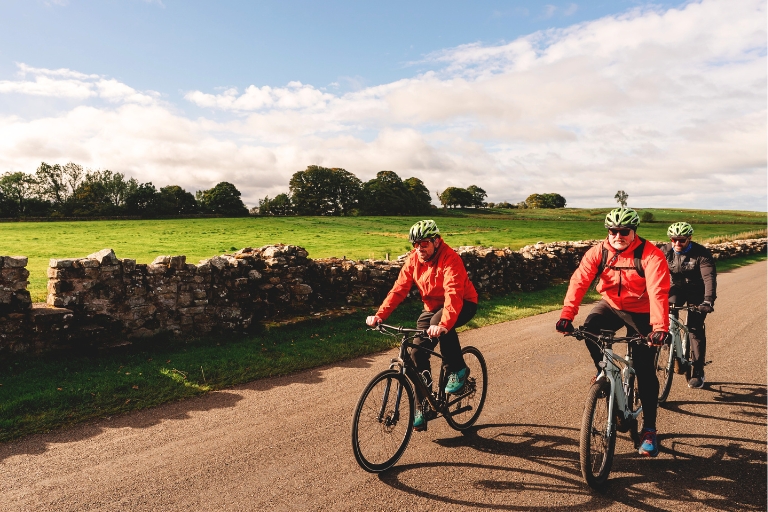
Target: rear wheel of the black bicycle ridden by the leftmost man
464 412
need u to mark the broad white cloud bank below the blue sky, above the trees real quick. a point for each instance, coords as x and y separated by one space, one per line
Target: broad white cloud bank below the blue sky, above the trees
669 106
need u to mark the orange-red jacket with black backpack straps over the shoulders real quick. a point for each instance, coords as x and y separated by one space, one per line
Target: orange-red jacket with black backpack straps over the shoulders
623 288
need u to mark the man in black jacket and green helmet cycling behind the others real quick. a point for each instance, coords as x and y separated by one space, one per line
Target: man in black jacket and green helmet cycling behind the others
694 281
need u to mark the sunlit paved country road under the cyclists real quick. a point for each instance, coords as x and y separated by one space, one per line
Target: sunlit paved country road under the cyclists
283 444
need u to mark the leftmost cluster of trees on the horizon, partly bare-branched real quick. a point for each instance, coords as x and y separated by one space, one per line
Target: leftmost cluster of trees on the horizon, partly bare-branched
71 191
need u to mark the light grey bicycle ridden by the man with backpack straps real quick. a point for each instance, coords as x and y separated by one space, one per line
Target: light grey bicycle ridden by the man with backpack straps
612 404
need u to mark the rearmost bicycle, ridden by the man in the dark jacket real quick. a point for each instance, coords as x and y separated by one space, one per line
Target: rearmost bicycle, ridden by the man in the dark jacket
674 357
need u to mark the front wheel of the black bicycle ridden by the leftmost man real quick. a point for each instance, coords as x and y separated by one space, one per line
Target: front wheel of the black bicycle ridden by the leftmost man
379 434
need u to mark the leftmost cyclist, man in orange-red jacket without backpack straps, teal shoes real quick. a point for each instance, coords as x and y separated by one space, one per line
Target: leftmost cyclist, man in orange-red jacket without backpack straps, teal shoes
450 301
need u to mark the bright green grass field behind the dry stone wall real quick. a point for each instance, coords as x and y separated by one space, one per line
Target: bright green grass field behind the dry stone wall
353 237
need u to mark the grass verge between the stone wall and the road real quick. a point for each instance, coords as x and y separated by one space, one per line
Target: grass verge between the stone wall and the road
38 394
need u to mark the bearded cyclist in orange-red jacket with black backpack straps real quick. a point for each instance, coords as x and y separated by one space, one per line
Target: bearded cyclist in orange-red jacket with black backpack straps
633 279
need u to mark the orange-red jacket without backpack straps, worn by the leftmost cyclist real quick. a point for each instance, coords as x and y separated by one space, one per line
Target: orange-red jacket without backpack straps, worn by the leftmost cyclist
442 281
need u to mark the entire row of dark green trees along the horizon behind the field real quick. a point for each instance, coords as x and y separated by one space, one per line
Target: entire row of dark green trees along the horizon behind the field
71 191
